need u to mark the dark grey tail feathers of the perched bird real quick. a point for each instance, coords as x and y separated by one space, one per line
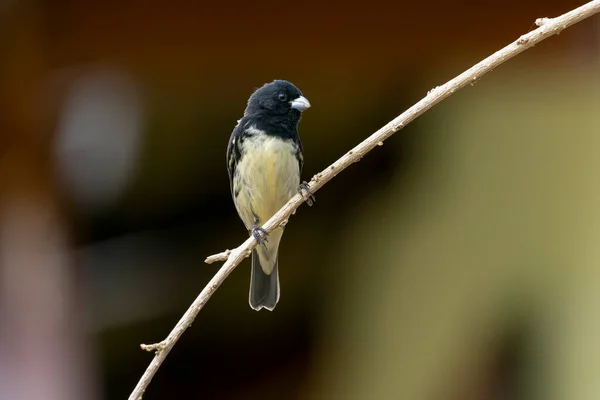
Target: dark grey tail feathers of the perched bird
264 289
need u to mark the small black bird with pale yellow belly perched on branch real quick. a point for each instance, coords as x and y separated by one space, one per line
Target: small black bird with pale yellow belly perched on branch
264 161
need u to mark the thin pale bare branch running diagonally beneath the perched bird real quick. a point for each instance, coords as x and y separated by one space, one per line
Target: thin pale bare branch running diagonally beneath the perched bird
546 27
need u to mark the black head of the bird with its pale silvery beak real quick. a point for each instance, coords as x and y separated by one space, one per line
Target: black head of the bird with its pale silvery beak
278 98
